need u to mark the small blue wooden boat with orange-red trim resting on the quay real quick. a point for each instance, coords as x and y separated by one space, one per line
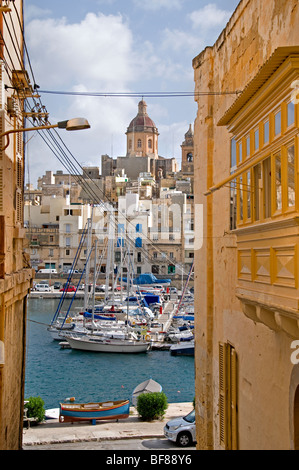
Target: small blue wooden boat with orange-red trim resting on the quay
93 412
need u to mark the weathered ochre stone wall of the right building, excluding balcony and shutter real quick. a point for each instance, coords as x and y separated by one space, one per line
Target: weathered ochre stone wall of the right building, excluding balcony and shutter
266 376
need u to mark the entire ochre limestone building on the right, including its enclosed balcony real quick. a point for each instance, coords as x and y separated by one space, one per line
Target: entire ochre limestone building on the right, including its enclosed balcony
246 273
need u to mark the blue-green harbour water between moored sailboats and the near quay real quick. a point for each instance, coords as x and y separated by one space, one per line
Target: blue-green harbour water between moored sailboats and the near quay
55 374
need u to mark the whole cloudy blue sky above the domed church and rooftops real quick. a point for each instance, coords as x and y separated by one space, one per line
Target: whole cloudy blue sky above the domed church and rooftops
116 46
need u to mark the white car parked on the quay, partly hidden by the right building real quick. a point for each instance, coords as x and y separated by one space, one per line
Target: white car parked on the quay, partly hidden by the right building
181 430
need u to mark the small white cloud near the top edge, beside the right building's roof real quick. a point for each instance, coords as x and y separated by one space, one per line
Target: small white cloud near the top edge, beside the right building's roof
209 16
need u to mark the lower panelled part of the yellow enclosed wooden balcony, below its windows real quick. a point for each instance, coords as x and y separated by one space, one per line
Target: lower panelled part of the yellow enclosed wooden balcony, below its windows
268 273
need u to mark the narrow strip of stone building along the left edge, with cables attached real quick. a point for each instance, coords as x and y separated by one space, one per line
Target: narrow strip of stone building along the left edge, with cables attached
15 273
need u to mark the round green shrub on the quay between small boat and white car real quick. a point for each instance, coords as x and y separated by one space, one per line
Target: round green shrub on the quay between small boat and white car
152 406
